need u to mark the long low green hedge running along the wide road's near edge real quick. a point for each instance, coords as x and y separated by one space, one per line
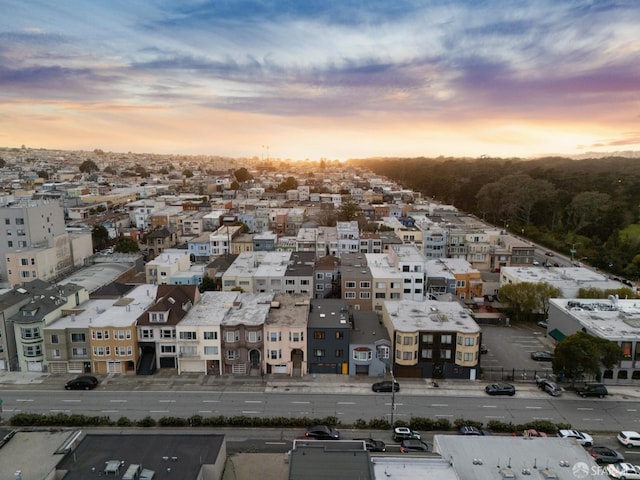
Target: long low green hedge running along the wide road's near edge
415 423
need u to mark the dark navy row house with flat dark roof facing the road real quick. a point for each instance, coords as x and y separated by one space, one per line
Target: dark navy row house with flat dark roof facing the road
328 337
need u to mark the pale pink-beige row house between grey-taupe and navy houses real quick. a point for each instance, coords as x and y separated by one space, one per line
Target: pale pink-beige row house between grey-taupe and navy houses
285 345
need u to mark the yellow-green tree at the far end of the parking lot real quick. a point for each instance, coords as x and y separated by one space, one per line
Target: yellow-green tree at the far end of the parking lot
527 299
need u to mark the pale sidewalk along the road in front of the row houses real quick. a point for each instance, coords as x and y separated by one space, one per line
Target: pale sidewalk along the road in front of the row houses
313 384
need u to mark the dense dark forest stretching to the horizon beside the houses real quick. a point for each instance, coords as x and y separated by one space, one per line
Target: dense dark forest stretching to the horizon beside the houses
589 206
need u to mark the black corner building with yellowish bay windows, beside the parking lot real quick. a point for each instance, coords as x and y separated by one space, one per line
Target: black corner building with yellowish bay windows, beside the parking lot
432 339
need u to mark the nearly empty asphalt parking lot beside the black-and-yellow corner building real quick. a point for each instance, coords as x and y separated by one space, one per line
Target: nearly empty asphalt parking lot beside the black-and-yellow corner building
509 352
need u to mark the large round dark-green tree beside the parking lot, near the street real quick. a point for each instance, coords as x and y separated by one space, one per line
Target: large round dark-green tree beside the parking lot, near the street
581 354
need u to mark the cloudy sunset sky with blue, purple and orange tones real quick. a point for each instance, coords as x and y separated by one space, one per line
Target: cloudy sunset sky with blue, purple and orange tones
335 79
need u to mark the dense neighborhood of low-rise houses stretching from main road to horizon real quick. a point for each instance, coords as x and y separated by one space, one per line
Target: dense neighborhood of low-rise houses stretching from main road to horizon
343 272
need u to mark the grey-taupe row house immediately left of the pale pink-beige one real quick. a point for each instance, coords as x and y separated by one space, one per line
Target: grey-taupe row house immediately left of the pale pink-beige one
242 333
